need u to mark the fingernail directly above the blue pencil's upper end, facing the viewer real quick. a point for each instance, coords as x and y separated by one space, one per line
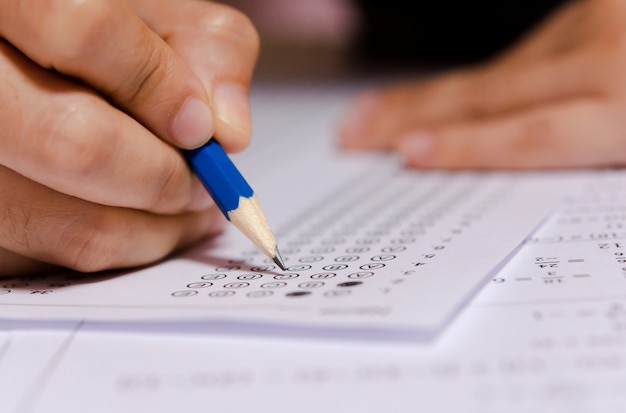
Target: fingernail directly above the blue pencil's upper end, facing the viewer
193 125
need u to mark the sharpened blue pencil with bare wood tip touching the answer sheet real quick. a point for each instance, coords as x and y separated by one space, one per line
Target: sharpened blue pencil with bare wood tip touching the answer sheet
234 197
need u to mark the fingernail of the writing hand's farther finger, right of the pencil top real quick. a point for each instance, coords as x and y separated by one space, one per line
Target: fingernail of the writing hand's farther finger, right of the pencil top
232 107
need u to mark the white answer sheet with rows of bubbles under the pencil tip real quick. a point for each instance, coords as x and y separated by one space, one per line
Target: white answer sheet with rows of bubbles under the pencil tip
372 249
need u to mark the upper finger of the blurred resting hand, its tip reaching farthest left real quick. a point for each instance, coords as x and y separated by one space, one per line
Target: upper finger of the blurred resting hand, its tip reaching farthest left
379 118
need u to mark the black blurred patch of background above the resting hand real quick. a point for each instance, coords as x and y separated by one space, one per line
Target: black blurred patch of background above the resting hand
444 31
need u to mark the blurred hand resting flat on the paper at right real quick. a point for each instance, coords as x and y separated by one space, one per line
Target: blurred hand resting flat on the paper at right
557 99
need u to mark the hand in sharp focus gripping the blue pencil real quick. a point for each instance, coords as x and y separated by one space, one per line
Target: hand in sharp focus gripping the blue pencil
96 96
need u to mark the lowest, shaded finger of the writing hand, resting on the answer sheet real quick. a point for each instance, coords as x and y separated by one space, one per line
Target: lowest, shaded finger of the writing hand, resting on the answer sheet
41 224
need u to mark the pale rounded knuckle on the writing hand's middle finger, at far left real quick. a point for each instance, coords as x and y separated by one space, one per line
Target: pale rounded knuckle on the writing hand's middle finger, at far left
71 139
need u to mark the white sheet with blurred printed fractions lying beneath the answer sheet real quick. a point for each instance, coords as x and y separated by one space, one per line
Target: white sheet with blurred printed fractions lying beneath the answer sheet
525 344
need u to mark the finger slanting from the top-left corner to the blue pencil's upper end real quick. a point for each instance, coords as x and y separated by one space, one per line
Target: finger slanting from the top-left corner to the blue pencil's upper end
106 45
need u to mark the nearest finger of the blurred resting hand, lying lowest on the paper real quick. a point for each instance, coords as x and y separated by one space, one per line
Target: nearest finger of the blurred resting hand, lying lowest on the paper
553 136
